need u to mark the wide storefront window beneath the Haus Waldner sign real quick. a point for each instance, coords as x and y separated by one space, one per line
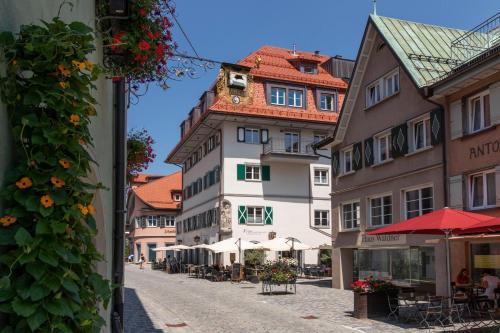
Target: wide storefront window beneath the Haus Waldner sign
402 266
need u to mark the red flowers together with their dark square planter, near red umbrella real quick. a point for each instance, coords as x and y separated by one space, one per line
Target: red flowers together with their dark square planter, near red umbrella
370 298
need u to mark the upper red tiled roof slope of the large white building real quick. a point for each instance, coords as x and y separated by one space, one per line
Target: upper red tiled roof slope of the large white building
275 64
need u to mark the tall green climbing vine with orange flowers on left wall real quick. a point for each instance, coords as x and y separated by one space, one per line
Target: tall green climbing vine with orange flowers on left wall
47 278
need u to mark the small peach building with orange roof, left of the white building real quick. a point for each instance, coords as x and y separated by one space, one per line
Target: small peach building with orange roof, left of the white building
152 211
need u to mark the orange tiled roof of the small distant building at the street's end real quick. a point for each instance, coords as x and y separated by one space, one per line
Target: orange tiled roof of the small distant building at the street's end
158 193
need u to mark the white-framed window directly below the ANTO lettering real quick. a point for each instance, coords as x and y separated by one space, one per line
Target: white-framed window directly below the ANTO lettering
482 189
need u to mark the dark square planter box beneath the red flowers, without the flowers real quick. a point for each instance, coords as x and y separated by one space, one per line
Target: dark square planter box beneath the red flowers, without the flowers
370 305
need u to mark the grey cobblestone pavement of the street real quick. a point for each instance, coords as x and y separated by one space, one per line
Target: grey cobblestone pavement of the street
154 299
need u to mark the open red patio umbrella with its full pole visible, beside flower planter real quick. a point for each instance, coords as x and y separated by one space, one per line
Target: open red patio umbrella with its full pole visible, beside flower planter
444 221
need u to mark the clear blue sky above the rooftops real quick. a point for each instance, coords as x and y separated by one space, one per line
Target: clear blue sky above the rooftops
229 30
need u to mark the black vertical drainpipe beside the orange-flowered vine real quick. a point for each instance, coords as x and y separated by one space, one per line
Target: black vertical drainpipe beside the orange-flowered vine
119 199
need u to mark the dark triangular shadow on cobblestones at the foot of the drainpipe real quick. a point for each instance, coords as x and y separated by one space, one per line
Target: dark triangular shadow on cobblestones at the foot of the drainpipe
136 318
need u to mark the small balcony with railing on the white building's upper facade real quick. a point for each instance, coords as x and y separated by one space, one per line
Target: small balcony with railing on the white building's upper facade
289 149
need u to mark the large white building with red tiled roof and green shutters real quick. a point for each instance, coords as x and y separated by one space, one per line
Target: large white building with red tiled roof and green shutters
249 170
